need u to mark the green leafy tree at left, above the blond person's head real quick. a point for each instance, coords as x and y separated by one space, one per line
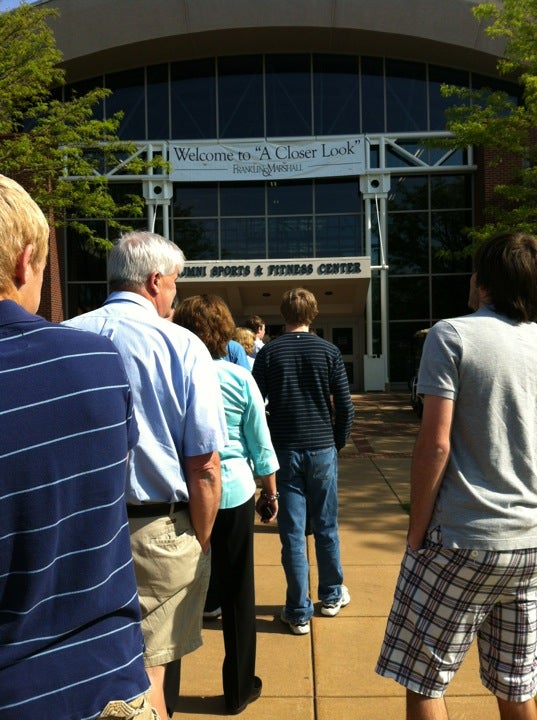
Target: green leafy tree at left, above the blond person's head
44 140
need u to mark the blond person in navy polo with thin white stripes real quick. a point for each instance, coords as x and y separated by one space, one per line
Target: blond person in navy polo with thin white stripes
71 643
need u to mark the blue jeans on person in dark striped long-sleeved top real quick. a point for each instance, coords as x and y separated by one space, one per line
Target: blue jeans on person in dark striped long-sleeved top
307 483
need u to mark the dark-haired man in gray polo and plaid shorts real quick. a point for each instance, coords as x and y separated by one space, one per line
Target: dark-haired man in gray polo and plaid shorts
470 567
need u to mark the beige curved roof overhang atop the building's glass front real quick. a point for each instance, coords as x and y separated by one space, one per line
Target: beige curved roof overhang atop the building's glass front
97 36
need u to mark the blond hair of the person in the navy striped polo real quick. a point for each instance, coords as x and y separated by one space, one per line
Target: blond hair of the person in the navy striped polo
22 223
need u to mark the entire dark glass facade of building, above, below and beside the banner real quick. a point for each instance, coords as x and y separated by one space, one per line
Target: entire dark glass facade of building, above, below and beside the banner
302 96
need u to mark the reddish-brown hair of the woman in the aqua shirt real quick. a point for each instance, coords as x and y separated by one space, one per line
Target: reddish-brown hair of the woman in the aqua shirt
208 317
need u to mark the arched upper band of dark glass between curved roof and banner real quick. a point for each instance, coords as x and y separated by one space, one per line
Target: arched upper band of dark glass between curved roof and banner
279 96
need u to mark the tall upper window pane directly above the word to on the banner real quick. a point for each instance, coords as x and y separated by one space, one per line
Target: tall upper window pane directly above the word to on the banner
240 97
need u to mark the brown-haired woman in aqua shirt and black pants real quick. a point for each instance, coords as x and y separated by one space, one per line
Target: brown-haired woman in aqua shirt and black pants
250 447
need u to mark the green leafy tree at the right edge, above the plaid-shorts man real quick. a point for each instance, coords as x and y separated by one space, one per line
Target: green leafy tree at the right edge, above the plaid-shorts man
504 125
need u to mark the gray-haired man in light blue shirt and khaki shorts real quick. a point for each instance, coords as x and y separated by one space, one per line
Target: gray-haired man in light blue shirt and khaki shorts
173 482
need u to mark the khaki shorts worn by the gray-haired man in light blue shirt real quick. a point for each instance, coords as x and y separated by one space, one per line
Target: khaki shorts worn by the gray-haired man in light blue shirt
172 574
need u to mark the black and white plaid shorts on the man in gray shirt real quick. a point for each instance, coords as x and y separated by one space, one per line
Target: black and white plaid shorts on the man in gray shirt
443 598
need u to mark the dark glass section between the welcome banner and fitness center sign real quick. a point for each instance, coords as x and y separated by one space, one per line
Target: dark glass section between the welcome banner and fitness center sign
310 218
